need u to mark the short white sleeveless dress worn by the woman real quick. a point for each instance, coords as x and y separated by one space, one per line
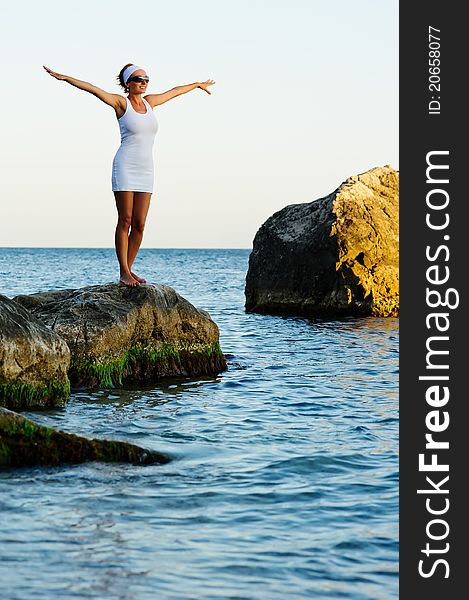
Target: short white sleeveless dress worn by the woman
132 167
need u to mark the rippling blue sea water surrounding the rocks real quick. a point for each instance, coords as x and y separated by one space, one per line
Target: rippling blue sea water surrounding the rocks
284 482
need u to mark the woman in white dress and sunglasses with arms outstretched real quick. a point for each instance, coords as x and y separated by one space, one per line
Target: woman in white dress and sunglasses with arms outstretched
132 167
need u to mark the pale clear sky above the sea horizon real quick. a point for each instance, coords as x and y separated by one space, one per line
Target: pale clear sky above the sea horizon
306 95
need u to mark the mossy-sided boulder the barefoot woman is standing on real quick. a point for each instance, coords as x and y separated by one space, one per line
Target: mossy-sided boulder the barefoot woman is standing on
117 333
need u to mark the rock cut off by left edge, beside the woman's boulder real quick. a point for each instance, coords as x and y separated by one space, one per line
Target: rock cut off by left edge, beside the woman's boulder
33 360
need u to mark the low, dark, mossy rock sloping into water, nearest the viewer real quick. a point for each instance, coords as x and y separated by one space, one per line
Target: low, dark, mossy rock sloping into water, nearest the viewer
23 443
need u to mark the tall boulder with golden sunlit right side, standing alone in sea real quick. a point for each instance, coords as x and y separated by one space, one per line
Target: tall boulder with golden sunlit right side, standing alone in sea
335 256
